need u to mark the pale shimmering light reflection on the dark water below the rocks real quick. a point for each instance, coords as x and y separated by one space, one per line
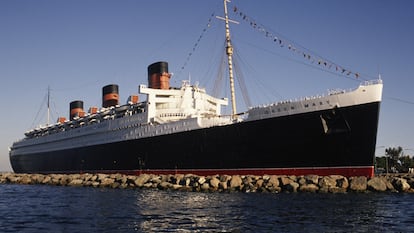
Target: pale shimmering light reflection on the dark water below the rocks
183 211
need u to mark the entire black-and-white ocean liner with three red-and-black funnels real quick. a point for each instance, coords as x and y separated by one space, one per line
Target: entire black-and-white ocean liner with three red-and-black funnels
182 130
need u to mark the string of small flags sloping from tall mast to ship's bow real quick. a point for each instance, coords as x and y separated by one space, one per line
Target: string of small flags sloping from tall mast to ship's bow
283 42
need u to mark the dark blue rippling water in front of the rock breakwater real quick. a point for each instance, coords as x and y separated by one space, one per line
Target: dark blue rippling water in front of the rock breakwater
41 208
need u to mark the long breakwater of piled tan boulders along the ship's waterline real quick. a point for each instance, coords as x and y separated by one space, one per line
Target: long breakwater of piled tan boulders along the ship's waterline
223 183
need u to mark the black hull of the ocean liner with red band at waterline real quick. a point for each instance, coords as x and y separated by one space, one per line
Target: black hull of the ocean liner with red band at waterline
336 141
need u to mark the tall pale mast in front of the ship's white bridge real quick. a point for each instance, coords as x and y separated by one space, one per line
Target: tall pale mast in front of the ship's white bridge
229 52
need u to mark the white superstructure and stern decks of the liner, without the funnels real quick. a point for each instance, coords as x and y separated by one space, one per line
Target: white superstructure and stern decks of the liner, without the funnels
165 112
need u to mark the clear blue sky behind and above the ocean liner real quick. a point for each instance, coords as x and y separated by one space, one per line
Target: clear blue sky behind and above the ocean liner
77 47
